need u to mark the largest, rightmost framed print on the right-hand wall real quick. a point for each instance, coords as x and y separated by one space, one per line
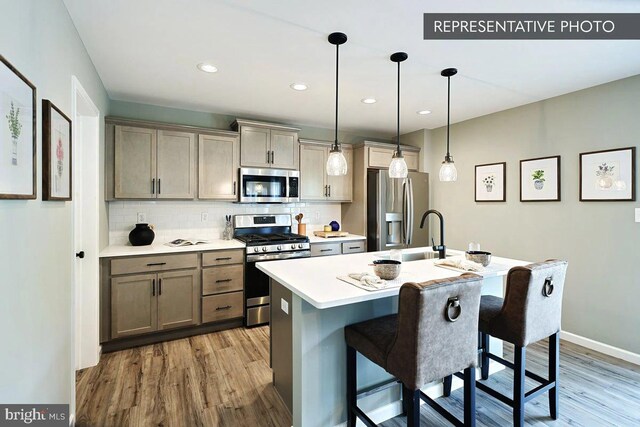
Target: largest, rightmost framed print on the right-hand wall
608 175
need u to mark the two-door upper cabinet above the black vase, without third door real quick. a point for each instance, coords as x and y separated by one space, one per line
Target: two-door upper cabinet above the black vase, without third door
154 164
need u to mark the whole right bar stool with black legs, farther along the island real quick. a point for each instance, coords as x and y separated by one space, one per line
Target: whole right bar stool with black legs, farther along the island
530 312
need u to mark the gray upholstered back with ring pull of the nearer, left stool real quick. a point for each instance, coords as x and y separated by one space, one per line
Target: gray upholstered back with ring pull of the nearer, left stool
437 329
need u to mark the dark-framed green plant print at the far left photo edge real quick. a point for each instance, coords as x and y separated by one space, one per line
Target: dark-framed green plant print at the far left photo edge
17 134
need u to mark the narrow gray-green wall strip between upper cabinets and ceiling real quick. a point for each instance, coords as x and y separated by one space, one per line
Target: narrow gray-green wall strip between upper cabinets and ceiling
156 113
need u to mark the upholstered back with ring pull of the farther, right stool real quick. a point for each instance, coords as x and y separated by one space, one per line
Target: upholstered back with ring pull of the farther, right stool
533 303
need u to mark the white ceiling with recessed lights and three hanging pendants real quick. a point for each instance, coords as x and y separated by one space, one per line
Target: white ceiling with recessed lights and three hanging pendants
147 50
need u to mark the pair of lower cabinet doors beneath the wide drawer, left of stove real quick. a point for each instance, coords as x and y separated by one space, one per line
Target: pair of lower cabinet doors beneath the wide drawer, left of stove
151 302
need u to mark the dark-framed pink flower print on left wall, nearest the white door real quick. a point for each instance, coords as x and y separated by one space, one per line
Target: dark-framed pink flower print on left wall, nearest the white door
56 153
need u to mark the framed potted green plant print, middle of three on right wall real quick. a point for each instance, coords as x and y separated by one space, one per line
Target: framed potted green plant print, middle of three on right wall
540 179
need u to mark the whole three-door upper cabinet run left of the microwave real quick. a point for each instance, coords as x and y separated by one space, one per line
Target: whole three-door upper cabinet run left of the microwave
146 160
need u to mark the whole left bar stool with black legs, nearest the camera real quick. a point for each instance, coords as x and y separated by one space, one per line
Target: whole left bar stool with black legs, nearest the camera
433 335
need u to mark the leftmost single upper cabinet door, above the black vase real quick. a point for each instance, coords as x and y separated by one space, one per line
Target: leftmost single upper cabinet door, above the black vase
135 162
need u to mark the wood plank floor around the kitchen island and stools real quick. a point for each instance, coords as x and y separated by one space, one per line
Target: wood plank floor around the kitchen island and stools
223 379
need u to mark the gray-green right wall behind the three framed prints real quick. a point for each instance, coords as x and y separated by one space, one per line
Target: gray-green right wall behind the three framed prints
599 239
